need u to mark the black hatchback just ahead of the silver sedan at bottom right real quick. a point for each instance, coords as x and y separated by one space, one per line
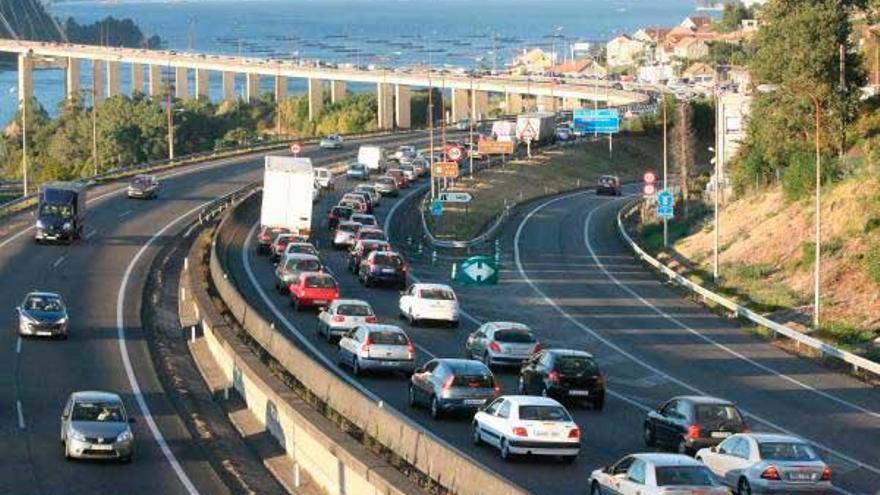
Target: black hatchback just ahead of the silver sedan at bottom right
690 423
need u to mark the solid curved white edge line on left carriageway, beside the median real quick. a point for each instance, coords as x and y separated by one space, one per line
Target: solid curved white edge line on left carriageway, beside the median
126 360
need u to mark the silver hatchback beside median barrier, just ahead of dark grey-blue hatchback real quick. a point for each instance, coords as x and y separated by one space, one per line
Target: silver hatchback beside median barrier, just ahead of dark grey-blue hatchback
377 347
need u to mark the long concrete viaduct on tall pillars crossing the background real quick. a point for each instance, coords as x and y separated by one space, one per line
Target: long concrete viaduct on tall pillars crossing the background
469 95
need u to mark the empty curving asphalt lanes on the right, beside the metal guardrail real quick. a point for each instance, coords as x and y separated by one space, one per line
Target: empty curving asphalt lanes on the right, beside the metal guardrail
655 340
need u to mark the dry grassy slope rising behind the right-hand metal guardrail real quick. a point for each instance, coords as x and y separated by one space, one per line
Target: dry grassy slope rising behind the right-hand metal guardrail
767 252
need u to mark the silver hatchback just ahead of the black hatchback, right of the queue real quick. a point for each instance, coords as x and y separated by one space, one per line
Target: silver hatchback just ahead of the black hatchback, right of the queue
502 343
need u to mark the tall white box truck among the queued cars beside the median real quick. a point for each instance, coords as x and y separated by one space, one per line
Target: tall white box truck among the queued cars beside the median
288 188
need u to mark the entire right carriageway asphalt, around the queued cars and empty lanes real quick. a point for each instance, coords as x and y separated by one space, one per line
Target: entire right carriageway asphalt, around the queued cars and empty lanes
568 276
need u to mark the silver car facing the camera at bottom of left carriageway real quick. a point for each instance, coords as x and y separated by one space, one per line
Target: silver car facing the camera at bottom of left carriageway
94 425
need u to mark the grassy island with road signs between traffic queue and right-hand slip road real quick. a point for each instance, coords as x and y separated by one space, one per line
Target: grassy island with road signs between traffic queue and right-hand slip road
554 171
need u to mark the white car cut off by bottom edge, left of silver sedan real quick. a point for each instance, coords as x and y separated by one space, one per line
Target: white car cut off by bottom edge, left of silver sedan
655 474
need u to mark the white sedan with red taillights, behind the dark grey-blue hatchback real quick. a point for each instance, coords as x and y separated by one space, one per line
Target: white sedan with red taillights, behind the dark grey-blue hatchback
521 424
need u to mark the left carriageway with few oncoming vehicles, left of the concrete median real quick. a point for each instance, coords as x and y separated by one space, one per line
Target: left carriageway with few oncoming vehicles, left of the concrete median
102 278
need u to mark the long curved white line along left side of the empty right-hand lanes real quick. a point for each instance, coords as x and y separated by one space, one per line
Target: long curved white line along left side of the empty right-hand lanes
589 331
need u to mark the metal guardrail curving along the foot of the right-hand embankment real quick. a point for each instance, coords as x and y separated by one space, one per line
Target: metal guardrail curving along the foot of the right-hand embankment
857 362
